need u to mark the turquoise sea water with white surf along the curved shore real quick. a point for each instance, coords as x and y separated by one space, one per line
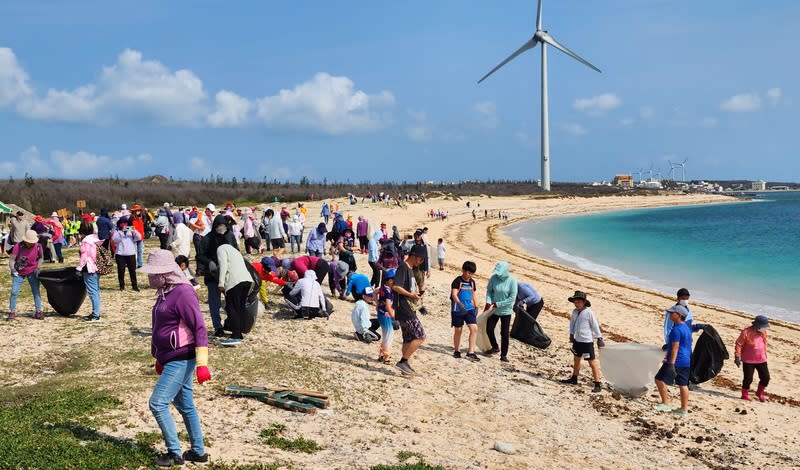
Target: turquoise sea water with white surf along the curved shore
744 256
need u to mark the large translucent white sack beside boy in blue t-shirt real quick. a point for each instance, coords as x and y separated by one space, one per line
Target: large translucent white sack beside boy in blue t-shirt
630 367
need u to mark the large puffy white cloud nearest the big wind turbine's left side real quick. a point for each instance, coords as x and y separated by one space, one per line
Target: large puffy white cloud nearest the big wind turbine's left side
328 104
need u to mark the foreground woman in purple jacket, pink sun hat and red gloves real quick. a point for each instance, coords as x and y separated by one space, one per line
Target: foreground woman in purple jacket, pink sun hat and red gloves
179 345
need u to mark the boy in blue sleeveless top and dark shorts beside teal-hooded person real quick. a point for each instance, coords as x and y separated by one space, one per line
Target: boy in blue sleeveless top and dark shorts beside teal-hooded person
463 300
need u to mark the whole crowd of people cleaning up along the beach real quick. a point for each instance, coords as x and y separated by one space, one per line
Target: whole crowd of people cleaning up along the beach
238 251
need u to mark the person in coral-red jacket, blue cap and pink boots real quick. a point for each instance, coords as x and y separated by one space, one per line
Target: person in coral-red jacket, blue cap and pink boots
751 354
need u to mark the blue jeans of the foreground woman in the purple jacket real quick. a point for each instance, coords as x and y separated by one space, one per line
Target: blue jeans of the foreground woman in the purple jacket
175 386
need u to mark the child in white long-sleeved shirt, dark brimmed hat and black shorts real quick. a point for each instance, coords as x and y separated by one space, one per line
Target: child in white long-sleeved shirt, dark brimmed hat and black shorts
583 330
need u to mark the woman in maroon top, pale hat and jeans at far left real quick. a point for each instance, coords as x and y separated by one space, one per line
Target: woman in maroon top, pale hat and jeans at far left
24 261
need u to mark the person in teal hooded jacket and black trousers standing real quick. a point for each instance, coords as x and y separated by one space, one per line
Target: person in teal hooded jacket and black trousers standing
501 293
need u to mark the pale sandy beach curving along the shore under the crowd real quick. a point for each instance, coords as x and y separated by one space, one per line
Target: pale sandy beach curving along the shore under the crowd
455 411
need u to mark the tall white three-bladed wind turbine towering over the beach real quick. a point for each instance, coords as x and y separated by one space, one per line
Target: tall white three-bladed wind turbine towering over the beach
541 36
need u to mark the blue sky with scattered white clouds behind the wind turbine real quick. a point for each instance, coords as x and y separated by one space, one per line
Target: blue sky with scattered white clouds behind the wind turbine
358 90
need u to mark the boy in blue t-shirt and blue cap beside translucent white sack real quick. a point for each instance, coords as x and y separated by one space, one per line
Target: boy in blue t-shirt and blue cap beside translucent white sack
675 369
